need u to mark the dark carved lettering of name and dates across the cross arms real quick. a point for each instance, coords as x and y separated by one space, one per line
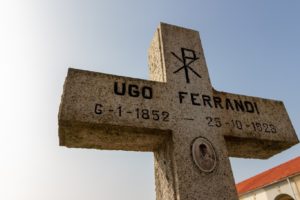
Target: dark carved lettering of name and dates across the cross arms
194 99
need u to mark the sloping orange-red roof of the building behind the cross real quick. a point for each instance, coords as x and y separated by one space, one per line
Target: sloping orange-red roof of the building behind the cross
275 174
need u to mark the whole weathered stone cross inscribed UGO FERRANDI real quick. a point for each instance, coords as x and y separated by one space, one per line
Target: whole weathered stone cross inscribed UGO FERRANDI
191 128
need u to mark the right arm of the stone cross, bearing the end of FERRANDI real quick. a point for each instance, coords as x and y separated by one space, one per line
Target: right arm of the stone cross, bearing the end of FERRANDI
253 127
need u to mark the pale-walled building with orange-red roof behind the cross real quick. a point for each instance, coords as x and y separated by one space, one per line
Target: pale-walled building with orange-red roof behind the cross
279 183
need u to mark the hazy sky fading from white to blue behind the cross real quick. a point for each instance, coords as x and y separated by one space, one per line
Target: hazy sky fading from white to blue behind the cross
251 48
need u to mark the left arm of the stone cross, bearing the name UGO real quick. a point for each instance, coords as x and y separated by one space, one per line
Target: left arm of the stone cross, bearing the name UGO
112 112
